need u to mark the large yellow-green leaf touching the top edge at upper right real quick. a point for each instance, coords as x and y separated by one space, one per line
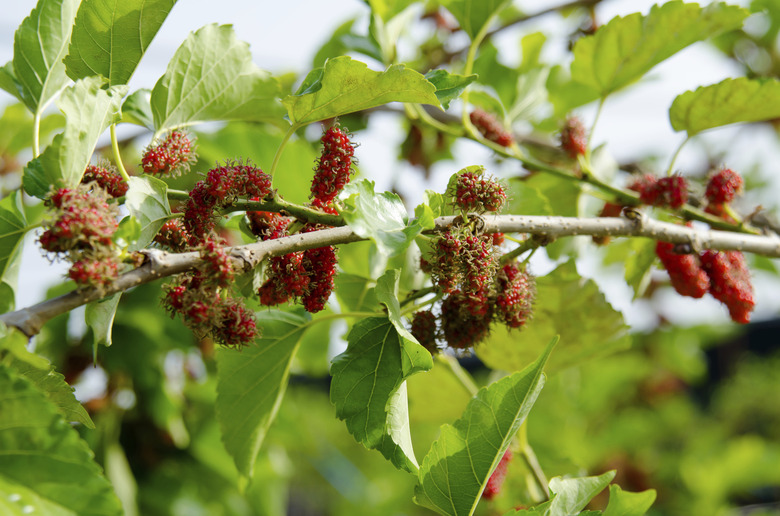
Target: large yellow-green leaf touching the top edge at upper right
626 48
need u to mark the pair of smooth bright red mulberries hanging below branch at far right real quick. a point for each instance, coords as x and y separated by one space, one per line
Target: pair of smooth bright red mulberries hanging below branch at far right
723 274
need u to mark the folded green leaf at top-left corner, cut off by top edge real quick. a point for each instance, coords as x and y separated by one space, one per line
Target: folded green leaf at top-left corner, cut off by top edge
39 46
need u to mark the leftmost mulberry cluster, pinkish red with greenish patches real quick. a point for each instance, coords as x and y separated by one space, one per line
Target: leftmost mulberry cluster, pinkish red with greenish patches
80 230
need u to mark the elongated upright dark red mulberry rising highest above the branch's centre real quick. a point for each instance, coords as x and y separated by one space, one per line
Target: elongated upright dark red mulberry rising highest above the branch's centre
334 166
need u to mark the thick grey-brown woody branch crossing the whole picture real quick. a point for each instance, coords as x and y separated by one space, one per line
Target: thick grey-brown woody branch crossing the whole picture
158 264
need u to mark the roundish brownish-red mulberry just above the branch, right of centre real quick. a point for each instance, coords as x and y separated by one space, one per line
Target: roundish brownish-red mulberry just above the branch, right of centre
473 191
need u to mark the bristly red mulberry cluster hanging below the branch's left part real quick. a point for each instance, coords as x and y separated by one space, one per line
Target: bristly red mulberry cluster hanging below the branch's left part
202 300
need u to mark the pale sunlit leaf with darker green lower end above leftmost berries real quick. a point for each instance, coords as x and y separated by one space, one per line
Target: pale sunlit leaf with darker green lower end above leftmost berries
89 109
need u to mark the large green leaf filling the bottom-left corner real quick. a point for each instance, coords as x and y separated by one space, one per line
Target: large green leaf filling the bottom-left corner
45 454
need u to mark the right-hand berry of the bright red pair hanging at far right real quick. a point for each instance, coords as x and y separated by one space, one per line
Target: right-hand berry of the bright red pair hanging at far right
730 282
